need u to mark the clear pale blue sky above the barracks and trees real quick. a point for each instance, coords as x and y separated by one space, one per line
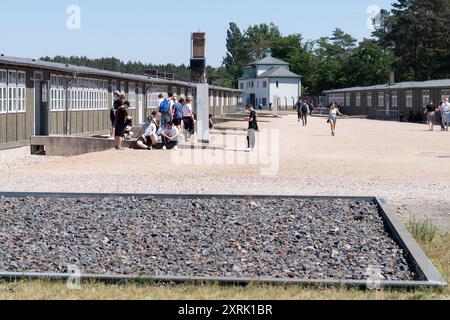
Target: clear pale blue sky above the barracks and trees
159 31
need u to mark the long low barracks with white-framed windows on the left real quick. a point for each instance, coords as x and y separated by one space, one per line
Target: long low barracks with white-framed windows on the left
41 98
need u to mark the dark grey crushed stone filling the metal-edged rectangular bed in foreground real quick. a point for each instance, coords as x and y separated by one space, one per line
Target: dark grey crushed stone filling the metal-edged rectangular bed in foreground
277 238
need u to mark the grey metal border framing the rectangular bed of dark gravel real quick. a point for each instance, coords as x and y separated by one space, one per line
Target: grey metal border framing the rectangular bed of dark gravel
416 257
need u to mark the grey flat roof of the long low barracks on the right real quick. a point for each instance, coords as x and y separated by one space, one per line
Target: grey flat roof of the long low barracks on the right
444 83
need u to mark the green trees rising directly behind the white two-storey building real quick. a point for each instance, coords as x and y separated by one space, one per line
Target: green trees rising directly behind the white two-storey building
323 64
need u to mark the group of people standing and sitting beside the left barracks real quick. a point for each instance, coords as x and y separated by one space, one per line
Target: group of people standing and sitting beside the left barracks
173 118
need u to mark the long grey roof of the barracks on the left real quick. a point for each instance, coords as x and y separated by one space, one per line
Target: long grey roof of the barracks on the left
86 71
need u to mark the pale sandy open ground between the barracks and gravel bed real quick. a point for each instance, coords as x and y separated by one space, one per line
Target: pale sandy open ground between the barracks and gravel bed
402 162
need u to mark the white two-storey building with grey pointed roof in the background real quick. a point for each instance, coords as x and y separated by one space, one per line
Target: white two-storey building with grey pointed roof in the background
268 81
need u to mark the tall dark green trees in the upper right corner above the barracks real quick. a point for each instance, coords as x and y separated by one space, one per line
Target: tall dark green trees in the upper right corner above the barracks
417 32
